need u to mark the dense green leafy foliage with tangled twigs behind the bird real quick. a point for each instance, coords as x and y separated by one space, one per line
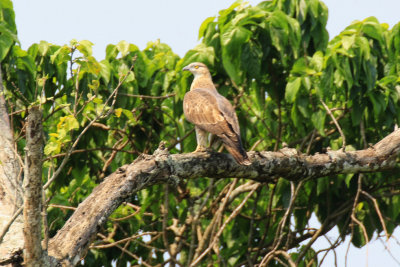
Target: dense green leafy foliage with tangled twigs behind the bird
275 62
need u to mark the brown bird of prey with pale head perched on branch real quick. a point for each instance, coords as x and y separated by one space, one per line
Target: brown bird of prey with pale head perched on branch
211 112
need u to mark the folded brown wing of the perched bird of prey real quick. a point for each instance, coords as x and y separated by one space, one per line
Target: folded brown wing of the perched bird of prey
208 111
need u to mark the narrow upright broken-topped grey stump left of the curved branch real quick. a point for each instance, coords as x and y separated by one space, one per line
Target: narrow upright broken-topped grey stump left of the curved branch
33 189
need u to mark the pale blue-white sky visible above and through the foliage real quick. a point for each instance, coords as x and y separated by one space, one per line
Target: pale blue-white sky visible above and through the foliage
176 23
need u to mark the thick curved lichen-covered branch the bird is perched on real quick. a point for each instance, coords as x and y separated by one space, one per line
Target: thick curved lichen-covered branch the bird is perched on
72 241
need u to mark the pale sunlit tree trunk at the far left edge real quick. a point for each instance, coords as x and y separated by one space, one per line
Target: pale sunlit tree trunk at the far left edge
10 189
